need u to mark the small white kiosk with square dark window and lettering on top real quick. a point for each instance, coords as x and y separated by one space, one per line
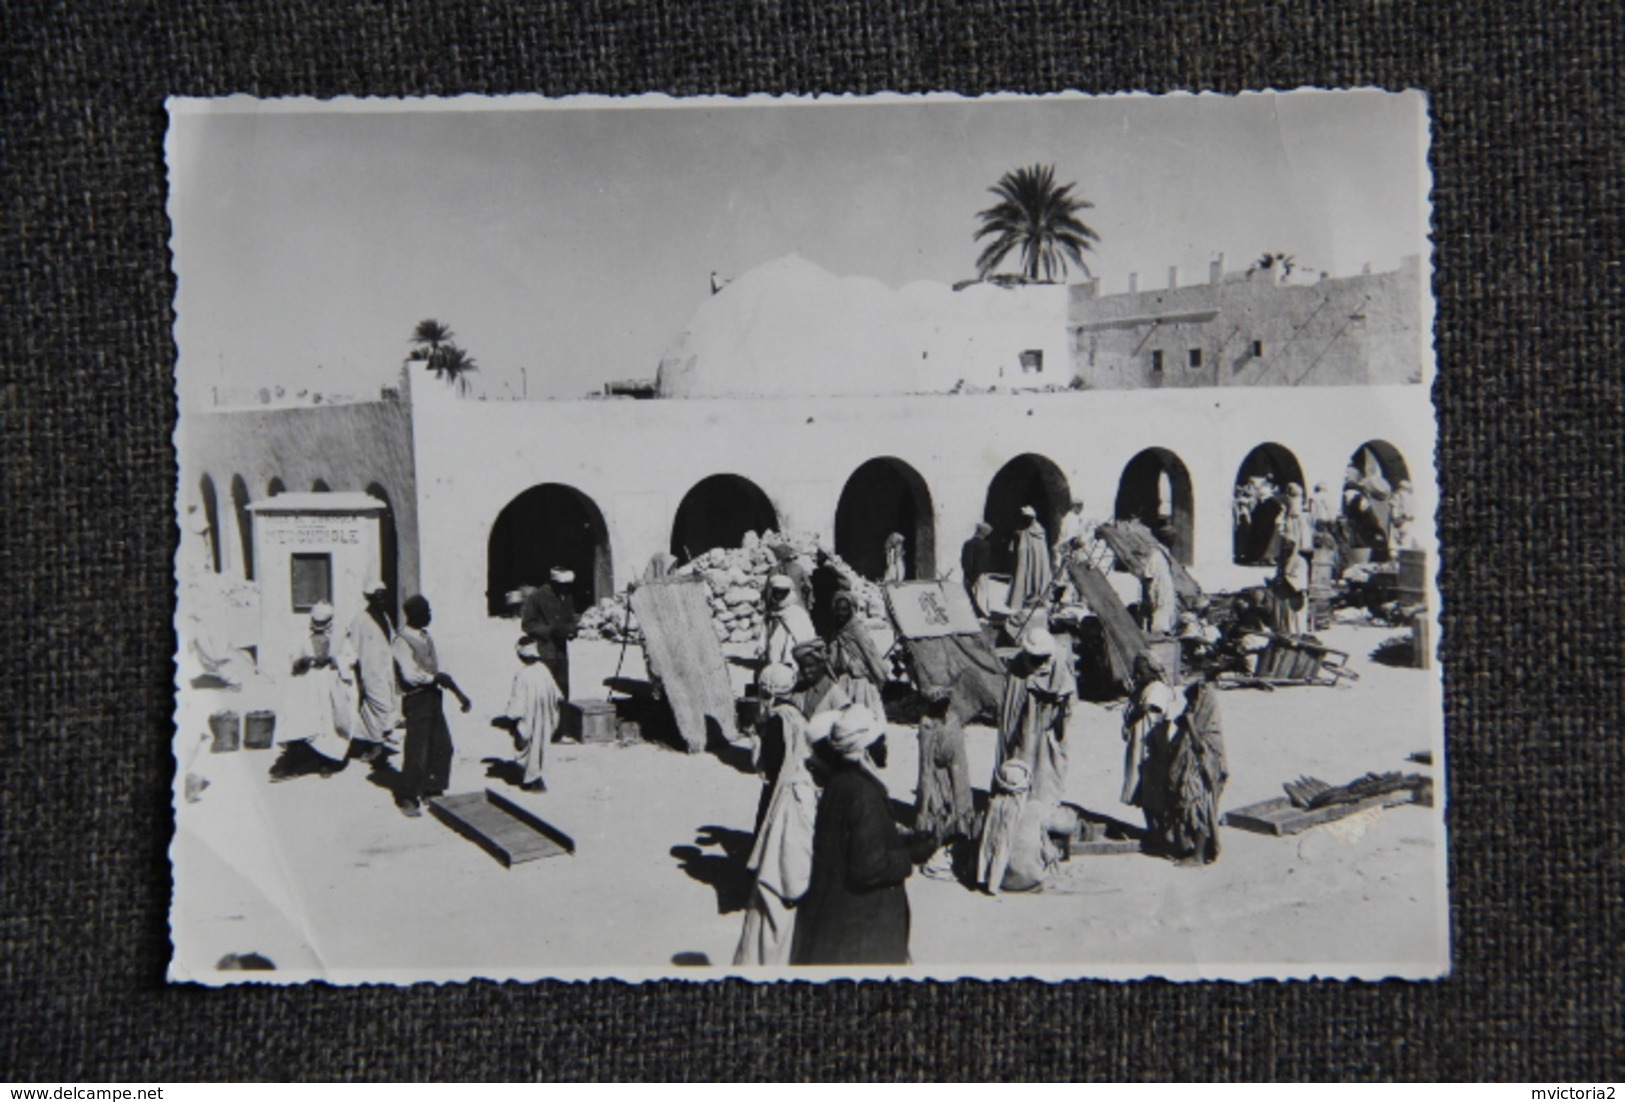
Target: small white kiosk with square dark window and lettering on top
319 547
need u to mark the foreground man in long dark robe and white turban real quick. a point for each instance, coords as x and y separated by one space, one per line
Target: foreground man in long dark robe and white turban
857 908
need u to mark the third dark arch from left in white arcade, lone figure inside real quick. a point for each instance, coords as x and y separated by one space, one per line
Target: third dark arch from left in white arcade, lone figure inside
882 498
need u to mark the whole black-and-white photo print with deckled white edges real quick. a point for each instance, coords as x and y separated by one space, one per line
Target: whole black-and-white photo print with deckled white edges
807 539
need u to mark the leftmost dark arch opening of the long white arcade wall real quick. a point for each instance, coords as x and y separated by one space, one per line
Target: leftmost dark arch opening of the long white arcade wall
548 526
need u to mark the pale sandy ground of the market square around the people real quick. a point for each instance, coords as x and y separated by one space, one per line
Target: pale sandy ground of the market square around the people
324 877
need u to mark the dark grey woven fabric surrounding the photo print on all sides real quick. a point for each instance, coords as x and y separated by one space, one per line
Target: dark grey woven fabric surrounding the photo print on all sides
1527 158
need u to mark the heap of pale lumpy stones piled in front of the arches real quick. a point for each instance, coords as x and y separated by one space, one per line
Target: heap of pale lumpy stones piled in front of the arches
735 579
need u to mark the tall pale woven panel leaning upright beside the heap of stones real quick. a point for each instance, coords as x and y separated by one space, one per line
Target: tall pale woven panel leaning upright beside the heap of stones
682 648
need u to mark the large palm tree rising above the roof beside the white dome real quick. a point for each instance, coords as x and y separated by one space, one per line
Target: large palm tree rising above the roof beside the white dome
1038 219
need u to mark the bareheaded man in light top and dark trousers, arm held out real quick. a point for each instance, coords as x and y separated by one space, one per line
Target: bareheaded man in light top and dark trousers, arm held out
427 760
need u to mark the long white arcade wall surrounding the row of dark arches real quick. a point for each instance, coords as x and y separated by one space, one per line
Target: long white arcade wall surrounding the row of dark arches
636 461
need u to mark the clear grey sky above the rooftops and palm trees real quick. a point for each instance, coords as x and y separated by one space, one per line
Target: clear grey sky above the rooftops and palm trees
568 243
